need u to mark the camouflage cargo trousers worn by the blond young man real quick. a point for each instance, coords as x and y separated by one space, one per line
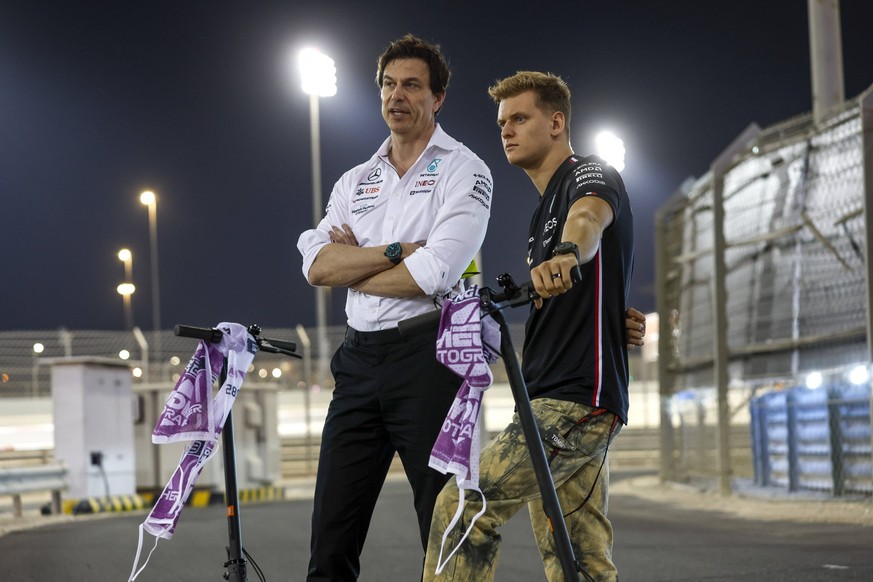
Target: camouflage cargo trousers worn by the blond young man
507 481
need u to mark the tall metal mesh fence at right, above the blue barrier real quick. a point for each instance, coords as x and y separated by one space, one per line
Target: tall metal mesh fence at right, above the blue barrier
762 276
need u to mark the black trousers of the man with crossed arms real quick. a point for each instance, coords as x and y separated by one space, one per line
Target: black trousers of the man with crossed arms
391 395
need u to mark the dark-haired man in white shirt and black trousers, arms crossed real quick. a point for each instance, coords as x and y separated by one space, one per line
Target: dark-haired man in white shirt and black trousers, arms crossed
399 231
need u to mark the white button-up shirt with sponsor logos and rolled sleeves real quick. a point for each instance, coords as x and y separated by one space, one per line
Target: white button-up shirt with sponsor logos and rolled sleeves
444 199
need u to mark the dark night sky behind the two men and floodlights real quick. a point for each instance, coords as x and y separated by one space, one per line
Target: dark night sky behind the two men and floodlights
200 102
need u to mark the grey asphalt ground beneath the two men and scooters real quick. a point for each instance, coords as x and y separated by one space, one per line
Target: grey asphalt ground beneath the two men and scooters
655 542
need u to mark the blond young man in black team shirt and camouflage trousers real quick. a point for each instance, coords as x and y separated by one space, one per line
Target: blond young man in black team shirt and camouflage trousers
575 355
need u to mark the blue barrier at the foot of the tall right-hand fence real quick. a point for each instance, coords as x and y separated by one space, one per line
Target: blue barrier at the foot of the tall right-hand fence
814 440
